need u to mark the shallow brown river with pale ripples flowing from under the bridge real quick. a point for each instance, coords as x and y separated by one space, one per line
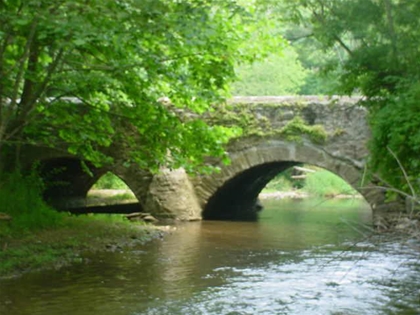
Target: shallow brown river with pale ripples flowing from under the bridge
301 257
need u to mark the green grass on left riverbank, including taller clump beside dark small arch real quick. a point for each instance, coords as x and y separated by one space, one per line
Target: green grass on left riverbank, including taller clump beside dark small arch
39 237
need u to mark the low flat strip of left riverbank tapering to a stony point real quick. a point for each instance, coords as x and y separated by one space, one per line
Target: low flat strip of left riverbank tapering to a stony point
66 244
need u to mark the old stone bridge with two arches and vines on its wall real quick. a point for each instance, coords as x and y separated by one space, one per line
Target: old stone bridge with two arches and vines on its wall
278 133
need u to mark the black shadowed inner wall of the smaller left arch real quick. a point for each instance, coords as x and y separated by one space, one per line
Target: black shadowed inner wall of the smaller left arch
67 180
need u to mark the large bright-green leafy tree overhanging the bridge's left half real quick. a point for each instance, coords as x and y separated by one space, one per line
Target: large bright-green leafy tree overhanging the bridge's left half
75 71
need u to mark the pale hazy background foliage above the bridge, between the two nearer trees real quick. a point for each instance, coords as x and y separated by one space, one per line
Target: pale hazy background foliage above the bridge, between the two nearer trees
310 66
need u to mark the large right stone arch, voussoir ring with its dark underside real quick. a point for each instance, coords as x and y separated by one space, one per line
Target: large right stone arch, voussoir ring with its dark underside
233 192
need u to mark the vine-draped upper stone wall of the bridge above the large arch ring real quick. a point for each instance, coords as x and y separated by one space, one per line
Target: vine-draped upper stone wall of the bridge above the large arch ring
337 124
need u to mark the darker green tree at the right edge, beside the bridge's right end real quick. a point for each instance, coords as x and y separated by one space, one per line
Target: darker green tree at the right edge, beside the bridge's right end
379 38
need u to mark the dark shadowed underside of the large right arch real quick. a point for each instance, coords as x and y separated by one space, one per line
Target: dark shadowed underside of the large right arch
237 199
